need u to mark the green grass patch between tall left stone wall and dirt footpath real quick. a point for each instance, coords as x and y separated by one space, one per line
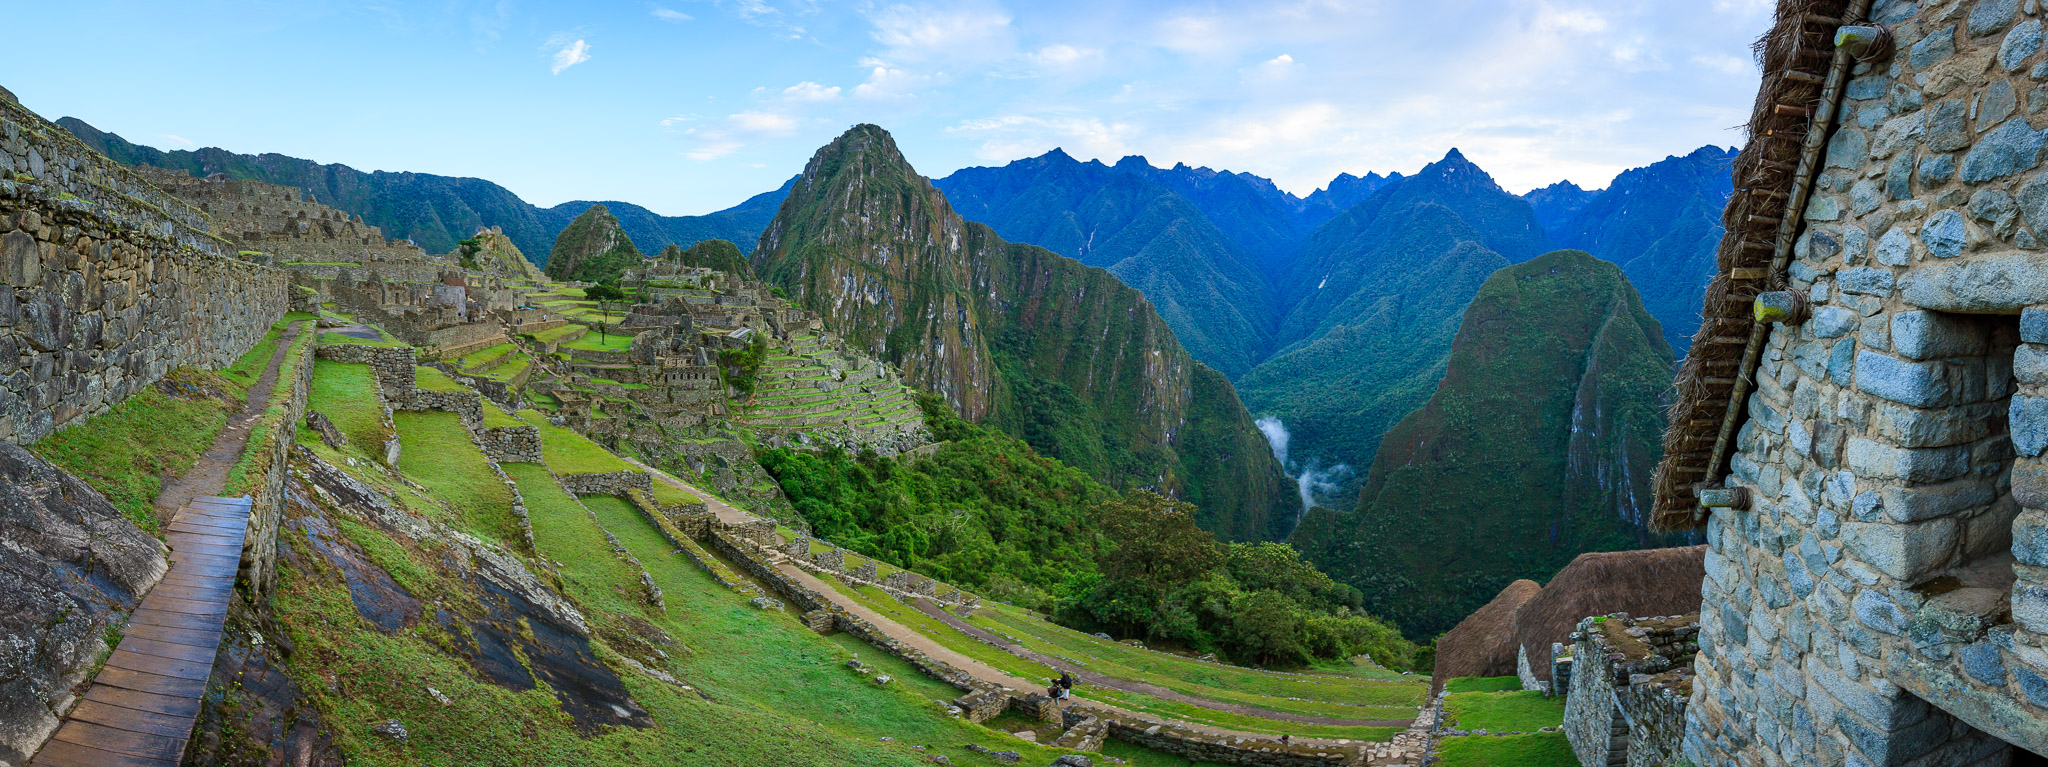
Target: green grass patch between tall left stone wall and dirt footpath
128 451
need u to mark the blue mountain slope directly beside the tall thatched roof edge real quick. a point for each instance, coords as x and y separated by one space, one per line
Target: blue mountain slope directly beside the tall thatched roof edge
1662 226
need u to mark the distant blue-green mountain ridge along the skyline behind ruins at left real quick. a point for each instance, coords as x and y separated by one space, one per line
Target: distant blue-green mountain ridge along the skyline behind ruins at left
437 212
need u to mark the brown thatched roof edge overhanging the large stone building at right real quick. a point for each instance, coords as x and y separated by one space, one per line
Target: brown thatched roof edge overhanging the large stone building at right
1801 85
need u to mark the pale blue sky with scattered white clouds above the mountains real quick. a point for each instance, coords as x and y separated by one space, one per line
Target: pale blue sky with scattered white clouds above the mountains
695 105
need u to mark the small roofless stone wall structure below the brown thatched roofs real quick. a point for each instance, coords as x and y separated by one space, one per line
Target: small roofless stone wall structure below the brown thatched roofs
1627 688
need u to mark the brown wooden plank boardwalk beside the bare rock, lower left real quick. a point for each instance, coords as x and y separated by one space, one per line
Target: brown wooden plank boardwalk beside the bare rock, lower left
142 705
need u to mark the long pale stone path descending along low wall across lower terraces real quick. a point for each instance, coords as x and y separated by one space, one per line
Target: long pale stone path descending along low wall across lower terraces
1377 754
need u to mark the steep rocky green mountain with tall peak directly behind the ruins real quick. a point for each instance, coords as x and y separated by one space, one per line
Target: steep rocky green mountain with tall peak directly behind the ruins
1033 343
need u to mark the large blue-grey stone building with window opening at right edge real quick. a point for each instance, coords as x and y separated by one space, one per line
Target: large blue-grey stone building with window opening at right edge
1877 572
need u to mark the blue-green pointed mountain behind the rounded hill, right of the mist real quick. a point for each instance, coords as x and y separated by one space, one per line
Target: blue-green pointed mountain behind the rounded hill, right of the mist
1375 300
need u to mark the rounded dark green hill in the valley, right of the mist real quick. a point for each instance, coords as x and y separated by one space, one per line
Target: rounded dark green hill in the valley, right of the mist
1539 445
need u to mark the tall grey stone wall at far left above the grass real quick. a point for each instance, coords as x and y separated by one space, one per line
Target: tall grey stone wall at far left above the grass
108 283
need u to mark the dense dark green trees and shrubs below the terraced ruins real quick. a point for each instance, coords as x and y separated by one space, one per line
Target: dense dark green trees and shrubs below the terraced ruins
990 514
